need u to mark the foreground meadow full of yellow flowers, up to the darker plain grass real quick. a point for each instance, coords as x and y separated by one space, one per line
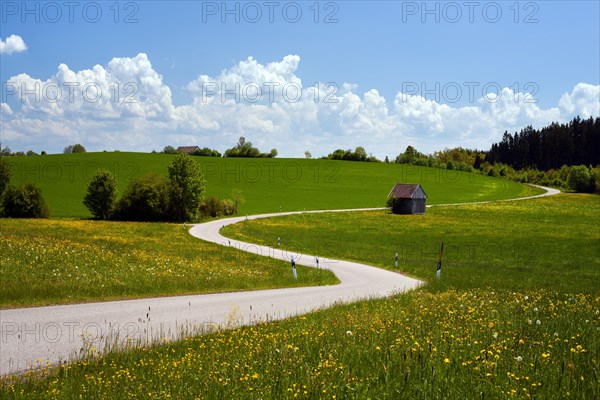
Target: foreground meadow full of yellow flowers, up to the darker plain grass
475 344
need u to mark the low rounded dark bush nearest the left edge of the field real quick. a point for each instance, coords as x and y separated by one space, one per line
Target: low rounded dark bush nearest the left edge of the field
24 202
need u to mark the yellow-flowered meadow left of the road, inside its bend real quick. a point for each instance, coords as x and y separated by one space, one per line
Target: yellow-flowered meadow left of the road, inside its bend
46 262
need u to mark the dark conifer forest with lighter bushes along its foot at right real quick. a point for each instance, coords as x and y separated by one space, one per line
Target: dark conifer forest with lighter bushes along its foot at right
560 155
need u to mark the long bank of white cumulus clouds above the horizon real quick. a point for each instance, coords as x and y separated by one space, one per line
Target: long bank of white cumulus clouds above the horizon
126 105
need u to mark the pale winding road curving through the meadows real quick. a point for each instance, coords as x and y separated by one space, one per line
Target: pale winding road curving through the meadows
39 336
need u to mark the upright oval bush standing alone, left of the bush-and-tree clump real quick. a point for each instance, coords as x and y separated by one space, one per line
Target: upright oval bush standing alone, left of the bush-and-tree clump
101 195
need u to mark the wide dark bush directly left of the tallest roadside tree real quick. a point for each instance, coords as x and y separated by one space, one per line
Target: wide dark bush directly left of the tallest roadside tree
145 199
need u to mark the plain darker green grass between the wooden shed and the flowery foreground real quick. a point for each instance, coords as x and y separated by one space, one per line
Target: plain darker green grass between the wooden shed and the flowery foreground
513 245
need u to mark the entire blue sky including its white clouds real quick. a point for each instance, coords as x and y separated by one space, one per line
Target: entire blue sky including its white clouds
400 73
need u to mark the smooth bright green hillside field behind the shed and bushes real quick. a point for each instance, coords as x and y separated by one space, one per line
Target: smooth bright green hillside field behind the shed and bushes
267 184
